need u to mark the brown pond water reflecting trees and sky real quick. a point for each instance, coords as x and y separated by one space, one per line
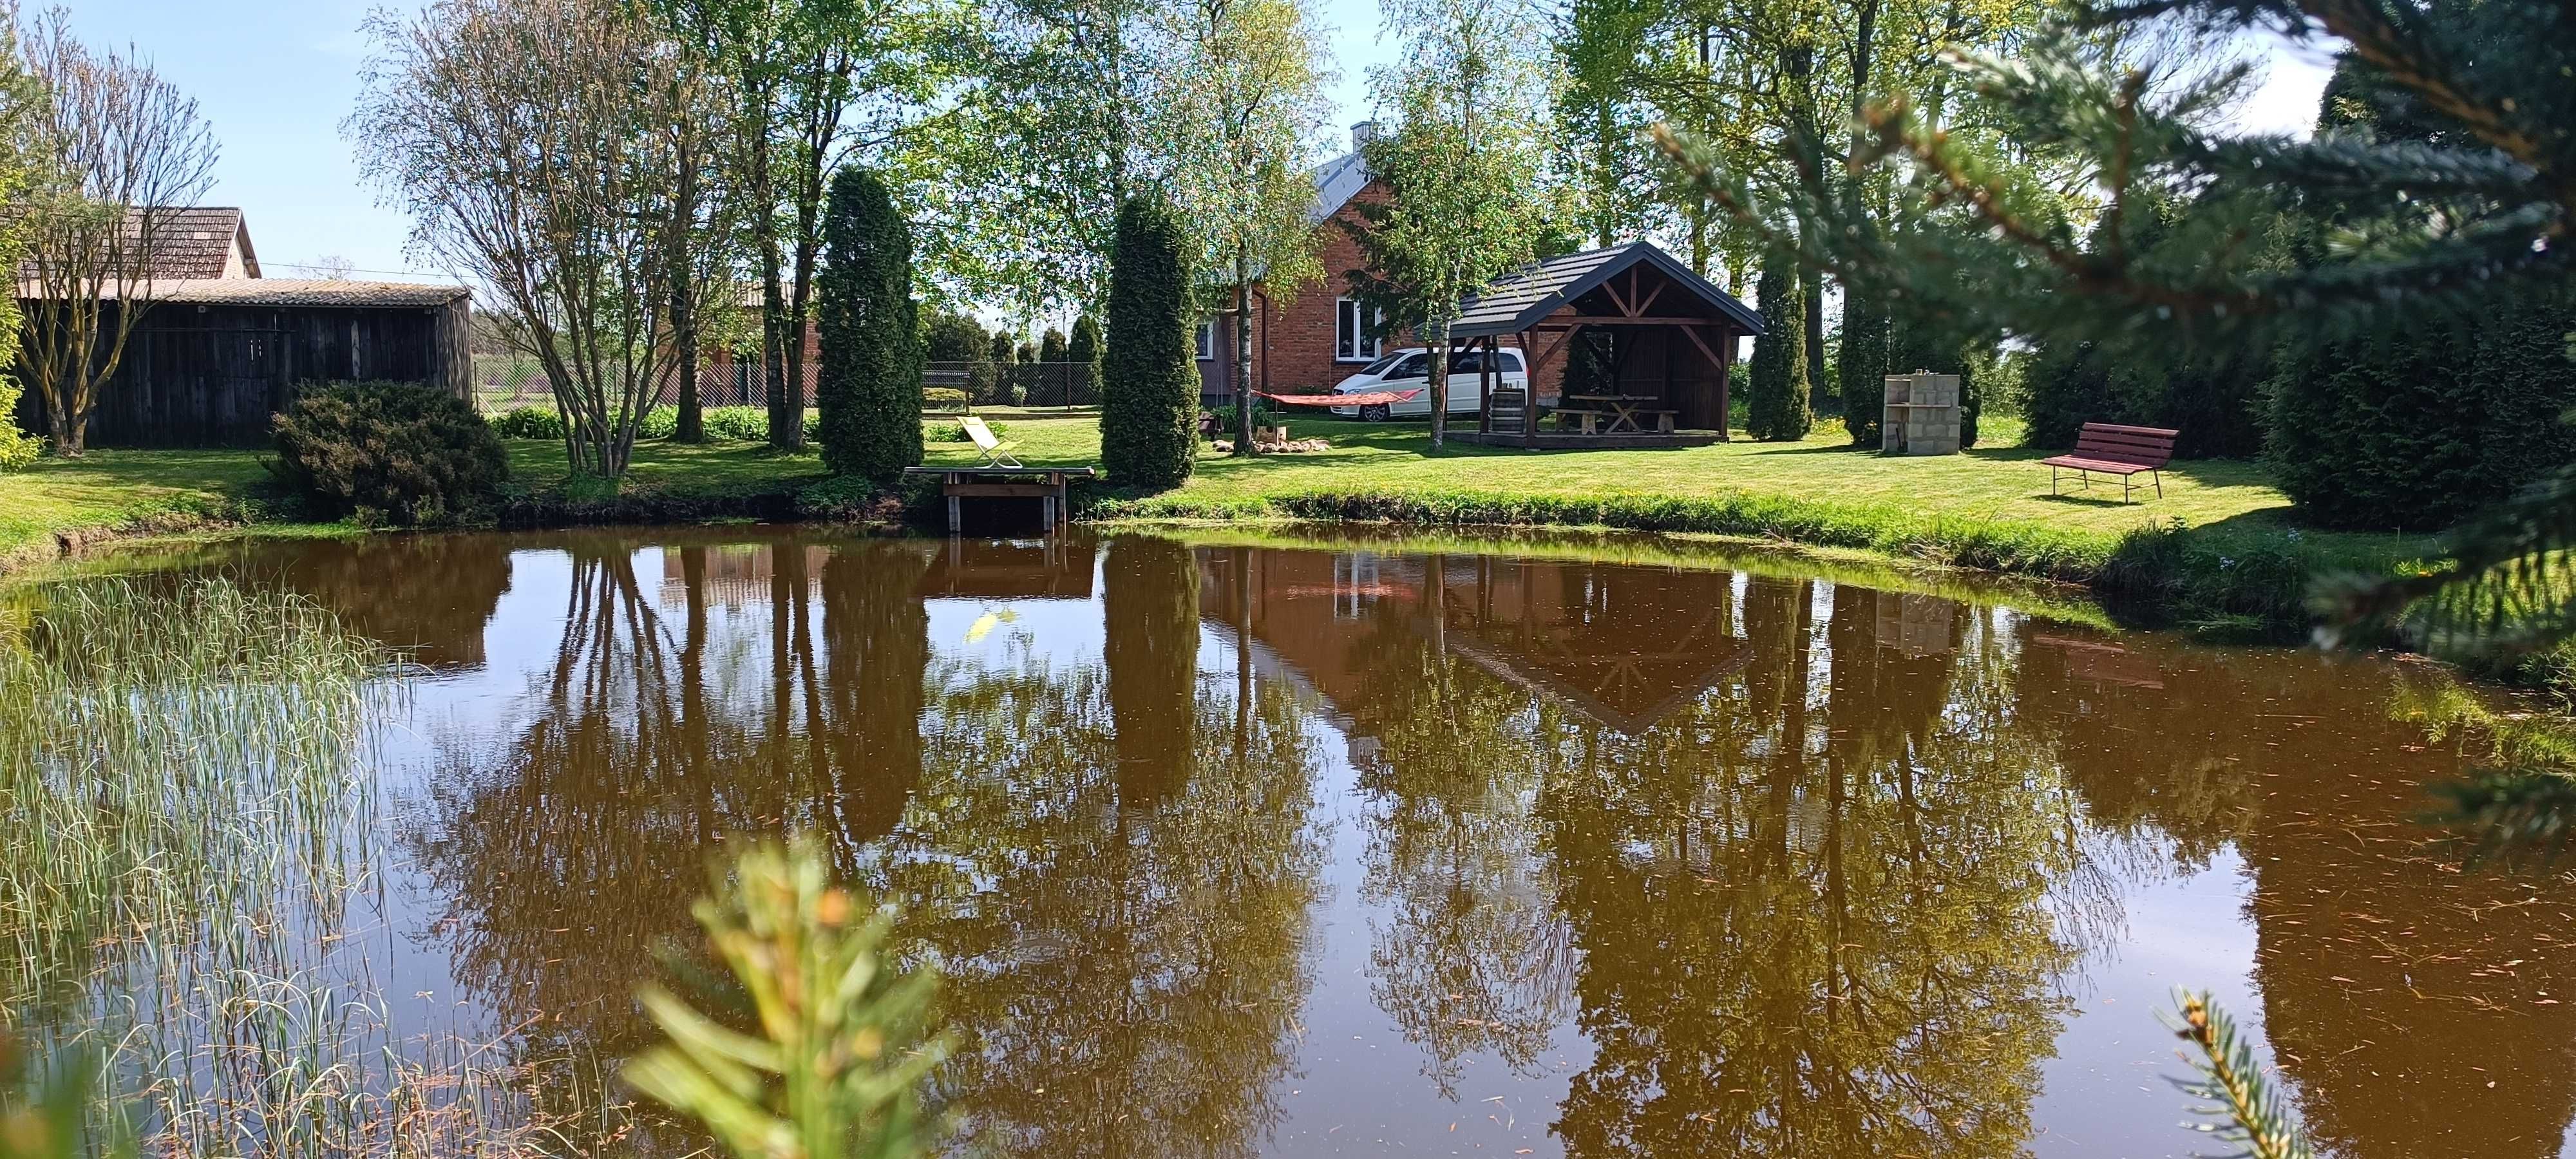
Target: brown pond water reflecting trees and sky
1354 846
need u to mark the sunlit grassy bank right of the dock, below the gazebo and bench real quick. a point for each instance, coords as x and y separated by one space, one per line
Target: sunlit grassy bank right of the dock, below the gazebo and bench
2219 550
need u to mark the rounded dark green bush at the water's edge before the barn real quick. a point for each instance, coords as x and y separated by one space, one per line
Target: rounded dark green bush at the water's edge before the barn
388 452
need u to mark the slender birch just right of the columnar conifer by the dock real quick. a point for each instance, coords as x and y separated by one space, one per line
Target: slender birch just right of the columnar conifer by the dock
1248 122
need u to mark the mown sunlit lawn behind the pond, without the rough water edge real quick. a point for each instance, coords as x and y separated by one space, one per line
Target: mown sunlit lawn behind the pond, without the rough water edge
166 488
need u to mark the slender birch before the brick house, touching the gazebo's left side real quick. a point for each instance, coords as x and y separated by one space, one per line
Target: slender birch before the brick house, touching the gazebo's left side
1464 166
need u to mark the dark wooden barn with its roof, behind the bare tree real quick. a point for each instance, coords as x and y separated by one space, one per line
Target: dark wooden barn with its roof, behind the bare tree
223 349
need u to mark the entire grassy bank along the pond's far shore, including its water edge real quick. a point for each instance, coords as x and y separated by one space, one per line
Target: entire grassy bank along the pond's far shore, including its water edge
2217 550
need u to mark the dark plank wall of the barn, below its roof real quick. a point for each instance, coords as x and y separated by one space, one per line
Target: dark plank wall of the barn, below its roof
215 375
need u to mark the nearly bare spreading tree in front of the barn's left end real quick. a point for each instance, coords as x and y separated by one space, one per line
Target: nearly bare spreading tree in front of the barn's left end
112 143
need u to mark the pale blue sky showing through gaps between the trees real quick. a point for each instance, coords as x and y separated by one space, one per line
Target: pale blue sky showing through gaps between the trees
277 79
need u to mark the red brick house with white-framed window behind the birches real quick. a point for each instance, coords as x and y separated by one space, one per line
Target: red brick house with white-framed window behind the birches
1315 339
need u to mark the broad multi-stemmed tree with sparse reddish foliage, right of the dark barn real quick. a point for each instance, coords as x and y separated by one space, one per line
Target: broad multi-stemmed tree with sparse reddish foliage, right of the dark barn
555 187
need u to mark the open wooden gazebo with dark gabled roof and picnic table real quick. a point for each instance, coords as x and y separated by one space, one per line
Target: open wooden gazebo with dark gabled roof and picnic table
1665 334
